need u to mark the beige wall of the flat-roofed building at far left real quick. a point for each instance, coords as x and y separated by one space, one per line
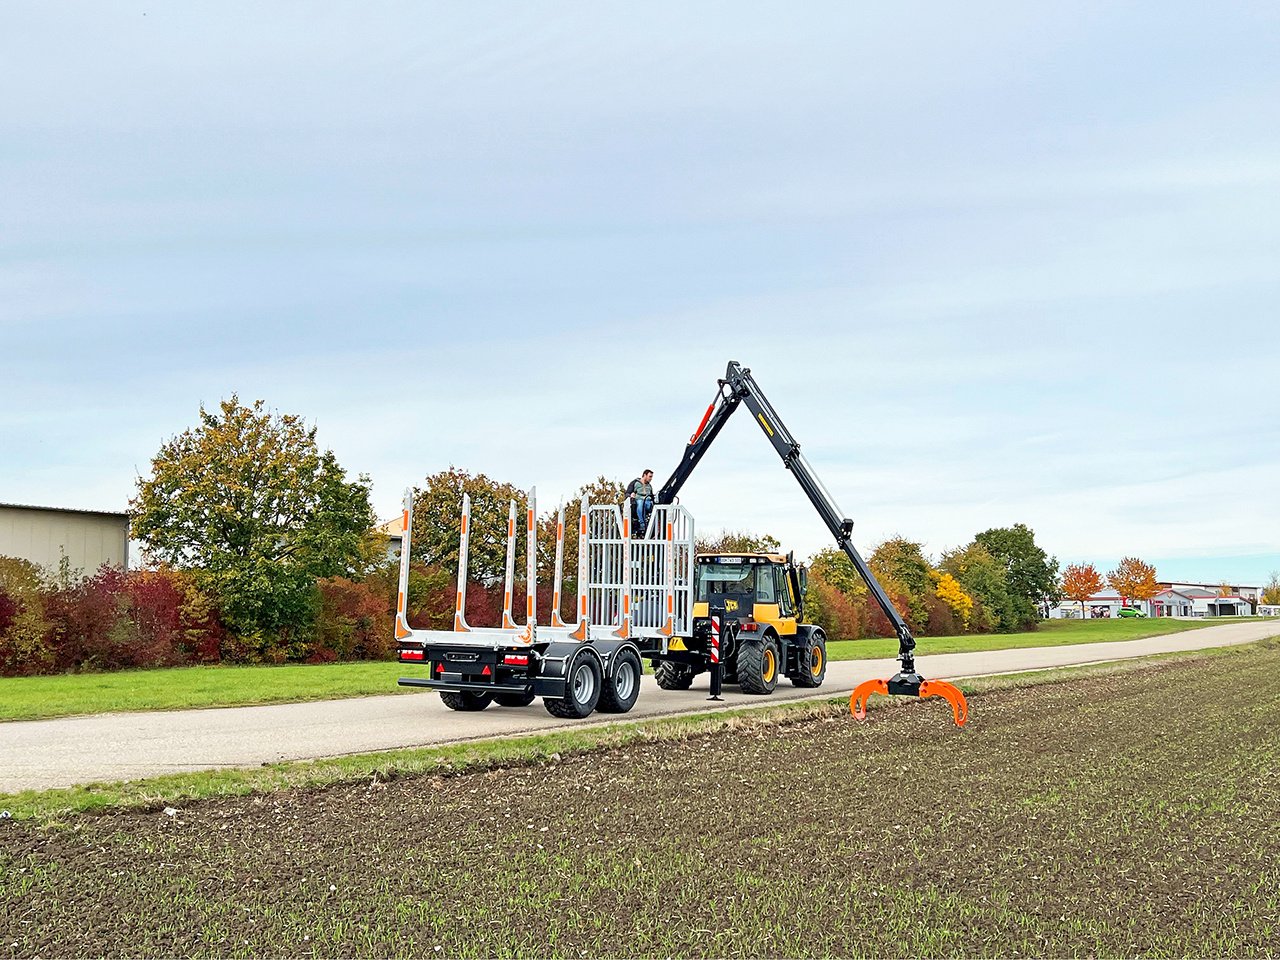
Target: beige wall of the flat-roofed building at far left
44 536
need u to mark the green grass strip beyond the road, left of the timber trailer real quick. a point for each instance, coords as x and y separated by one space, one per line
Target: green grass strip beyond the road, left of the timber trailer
185 688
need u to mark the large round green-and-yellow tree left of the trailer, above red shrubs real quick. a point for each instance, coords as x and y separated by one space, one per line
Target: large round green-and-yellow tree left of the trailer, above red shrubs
252 505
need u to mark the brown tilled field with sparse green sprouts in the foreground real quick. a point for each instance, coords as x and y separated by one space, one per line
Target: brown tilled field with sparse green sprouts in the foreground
1118 816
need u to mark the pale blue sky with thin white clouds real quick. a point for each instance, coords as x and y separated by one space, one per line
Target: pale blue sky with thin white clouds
993 263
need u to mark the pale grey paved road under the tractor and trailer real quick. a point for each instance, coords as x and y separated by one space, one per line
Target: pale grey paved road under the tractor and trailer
60 753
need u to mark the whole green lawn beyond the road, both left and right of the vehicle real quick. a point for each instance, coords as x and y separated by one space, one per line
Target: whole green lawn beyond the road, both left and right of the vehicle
190 688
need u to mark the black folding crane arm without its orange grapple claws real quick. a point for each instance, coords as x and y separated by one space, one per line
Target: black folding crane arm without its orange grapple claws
740 387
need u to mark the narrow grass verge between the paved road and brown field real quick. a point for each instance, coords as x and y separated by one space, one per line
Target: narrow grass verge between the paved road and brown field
56 807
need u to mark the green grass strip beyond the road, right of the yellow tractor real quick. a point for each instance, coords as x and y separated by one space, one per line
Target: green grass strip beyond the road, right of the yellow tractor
1052 633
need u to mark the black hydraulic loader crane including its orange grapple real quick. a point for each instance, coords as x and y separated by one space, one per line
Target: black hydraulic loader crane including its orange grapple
740 388
